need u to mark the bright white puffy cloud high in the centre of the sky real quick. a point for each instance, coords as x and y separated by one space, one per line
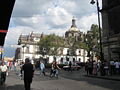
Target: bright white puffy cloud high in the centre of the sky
59 17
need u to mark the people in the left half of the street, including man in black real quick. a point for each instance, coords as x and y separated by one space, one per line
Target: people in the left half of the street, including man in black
25 70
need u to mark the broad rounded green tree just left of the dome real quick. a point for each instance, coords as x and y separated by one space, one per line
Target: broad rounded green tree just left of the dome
49 44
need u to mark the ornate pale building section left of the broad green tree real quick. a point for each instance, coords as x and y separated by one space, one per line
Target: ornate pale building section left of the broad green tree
29 47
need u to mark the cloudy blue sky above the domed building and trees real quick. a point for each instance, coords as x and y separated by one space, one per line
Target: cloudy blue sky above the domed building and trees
48 16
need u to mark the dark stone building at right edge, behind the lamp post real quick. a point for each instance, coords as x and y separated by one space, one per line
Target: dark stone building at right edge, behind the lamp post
111 29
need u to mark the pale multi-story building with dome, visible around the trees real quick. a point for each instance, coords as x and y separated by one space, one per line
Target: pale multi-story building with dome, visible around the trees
29 47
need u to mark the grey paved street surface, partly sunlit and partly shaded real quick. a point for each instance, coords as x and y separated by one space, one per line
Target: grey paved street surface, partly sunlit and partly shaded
66 81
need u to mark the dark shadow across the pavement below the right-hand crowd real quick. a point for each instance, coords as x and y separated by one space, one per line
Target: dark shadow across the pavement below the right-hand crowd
76 75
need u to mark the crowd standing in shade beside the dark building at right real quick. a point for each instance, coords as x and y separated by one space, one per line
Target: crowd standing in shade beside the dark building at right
104 68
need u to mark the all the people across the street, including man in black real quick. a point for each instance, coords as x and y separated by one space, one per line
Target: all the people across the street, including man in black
25 70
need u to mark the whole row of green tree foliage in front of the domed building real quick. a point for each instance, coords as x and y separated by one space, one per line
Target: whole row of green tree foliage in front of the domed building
50 44
